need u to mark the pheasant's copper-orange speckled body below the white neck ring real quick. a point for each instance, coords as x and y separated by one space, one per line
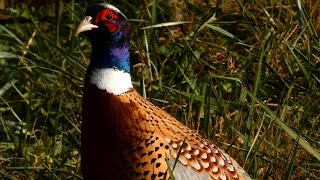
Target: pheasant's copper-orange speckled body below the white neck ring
138 140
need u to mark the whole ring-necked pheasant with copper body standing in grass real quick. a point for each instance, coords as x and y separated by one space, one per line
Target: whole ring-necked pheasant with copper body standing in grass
124 136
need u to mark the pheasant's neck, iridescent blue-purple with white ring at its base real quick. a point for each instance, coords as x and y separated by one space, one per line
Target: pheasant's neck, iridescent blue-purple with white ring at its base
109 67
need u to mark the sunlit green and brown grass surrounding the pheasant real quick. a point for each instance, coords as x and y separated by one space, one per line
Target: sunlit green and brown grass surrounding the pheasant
244 74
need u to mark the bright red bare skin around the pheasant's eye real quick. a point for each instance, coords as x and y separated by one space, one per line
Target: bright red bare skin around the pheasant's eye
109 18
